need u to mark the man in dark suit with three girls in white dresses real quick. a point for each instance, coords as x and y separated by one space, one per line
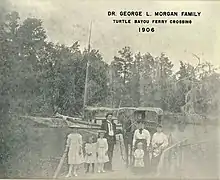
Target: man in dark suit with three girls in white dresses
96 150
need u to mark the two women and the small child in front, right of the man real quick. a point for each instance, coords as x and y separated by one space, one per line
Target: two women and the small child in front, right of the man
144 146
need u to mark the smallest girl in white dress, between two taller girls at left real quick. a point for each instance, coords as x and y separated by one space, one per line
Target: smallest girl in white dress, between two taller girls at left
90 156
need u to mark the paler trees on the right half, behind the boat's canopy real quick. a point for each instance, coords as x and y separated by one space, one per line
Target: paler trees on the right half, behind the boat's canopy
144 80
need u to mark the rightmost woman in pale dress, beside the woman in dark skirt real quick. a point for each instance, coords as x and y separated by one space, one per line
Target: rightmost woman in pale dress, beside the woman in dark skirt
159 143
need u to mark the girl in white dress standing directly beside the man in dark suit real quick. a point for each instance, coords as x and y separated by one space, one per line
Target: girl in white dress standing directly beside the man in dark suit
102 149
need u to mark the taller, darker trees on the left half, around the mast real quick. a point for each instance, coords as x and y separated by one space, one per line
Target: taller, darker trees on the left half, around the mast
39 77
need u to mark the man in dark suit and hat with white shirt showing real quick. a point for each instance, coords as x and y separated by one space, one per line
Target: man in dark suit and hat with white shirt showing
110 127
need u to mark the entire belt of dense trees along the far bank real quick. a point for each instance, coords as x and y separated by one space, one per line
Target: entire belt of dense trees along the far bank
39 77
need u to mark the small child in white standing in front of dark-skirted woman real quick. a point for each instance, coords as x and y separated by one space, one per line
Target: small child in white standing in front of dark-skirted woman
139 158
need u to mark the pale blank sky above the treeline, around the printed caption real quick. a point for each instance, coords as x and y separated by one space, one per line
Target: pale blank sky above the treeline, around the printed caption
69 20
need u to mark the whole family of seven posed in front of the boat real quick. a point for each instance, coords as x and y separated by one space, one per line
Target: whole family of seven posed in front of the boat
100 150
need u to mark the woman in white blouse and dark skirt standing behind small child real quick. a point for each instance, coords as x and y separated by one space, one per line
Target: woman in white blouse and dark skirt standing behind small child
142 135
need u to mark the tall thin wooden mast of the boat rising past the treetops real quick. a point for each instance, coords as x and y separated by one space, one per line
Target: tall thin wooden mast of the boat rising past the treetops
87 72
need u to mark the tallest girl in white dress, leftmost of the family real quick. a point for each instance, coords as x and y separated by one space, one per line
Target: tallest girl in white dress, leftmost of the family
75 153
